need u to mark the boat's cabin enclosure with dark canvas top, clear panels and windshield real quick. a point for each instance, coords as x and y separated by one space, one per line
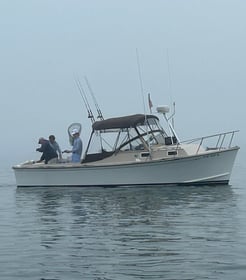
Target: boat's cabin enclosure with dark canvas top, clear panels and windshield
137 132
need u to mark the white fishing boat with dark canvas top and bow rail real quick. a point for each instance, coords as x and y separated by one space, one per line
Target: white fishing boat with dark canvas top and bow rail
137 150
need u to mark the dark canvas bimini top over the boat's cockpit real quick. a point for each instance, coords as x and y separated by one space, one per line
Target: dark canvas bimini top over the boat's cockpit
123 122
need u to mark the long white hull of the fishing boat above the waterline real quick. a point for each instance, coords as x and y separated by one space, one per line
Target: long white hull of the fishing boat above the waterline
209 168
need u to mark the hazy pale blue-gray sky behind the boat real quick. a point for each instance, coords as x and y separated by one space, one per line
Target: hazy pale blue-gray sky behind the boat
44 43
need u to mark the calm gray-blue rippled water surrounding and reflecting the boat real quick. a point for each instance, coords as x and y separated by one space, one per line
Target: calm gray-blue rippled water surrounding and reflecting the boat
123 233
